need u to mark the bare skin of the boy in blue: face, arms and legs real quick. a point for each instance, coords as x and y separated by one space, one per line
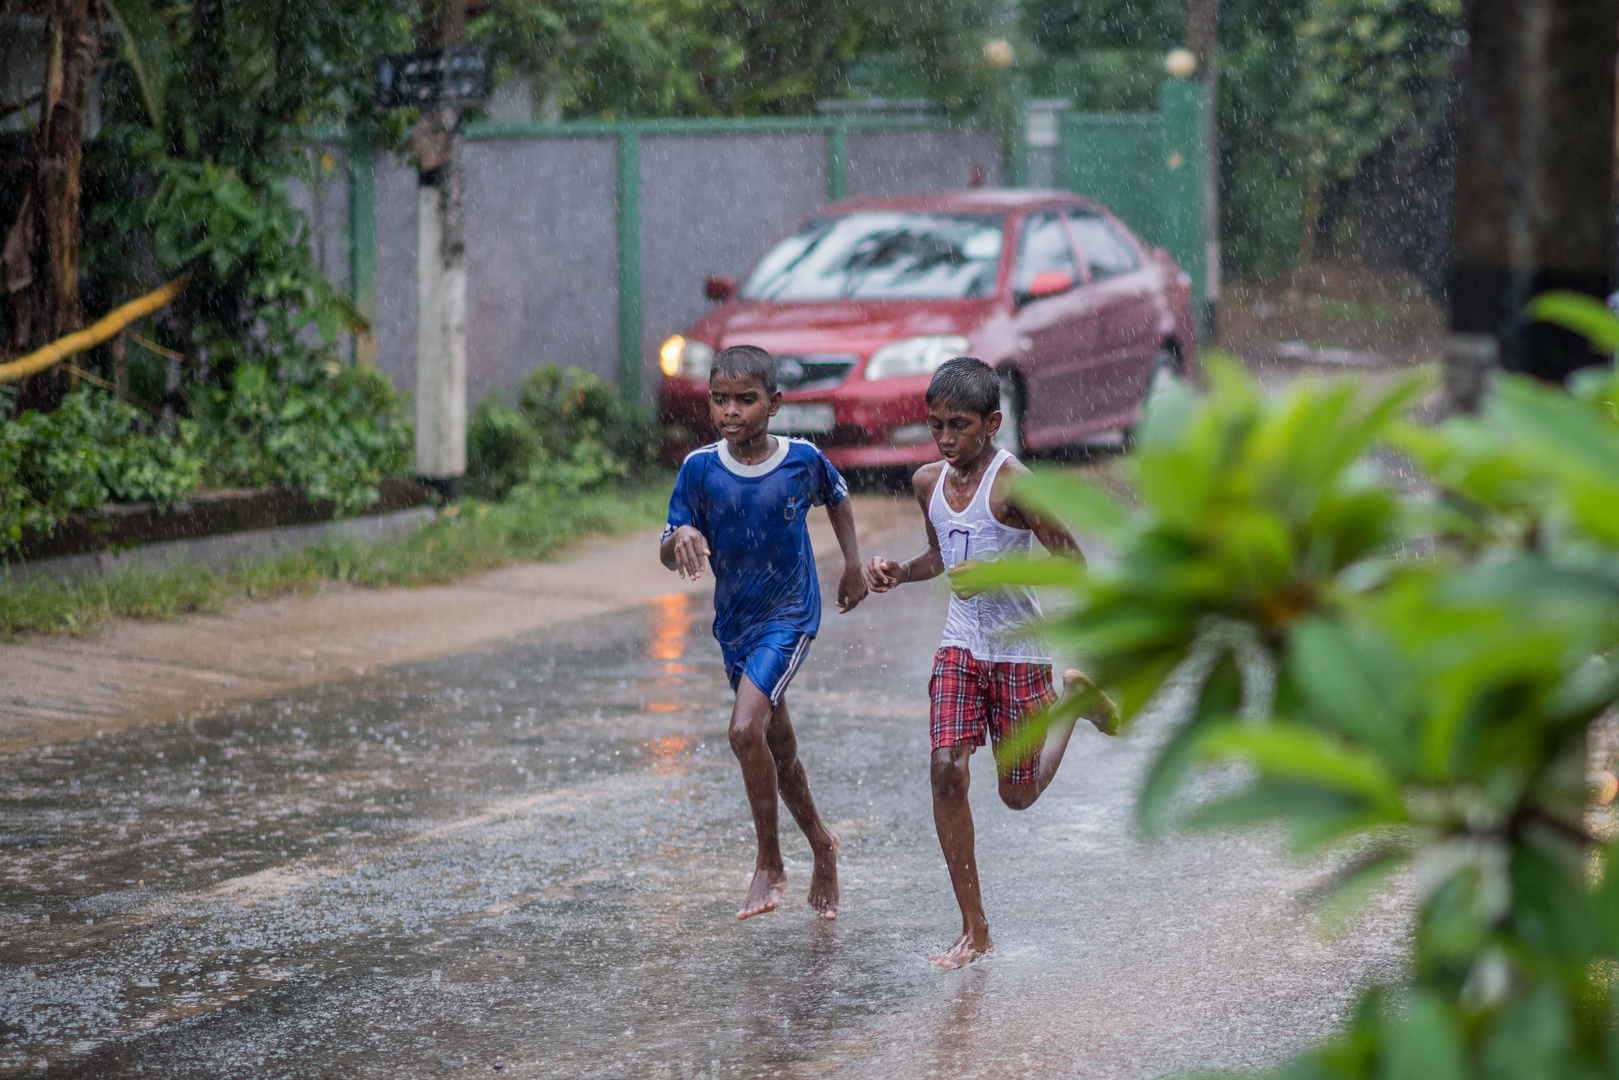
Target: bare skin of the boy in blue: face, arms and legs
762 736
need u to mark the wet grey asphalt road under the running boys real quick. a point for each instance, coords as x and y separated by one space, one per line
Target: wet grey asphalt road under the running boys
525 862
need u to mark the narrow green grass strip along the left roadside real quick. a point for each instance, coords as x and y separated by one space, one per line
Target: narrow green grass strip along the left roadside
475 537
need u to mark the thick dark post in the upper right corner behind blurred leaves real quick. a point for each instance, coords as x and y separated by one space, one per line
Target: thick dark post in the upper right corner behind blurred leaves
1534 184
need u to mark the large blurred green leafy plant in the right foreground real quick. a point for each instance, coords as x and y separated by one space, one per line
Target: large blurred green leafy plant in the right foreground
1392 710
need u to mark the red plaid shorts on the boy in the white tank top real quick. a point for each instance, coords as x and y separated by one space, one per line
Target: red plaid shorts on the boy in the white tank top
974 695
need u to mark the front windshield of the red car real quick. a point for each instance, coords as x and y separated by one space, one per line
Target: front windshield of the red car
883 257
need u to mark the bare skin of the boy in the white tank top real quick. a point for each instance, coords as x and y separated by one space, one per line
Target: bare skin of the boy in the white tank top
966 441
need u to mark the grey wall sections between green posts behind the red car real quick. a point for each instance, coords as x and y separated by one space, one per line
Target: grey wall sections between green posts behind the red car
542 234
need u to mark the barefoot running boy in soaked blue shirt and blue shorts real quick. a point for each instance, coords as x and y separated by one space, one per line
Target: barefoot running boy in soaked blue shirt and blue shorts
742 504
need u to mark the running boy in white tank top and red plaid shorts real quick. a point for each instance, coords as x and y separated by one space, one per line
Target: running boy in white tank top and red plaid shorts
990 673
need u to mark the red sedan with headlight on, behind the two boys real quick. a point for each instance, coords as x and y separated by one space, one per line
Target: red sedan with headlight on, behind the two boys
865 302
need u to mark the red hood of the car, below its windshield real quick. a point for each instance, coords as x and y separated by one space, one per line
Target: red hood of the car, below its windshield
836 326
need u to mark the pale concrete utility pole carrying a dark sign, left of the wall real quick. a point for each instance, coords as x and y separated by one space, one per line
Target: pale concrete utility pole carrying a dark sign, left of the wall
441 273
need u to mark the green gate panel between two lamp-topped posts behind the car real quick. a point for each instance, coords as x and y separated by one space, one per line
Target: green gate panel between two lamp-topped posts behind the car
1118 161
